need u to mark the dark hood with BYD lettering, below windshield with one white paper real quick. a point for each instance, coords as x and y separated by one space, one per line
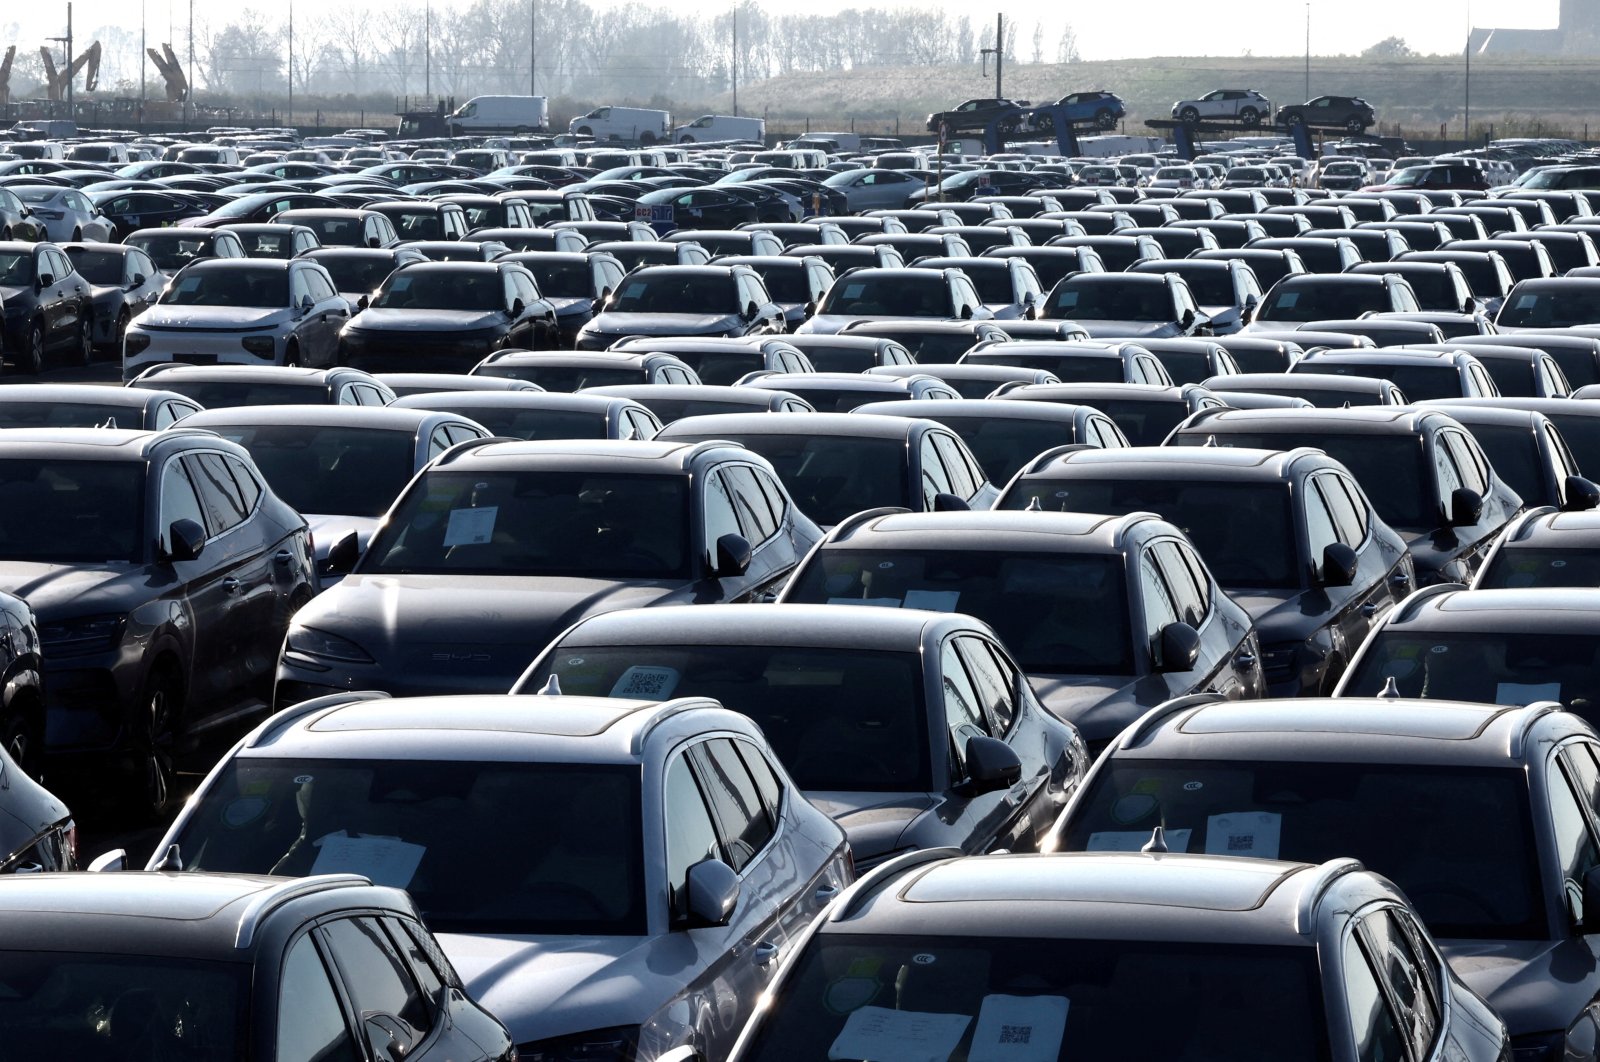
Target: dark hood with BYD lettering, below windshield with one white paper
474 634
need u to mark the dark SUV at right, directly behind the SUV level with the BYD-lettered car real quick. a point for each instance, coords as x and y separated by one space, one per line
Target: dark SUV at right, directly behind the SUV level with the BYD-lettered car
1426 477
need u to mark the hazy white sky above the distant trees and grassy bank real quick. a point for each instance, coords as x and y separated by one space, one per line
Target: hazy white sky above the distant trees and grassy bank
1161 28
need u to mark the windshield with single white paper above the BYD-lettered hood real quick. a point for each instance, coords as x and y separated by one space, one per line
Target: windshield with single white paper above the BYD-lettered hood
538 524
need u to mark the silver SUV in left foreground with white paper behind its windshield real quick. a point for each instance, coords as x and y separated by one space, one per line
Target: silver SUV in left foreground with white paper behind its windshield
612 879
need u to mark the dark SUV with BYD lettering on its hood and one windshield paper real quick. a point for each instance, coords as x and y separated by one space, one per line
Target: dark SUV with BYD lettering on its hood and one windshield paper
498 548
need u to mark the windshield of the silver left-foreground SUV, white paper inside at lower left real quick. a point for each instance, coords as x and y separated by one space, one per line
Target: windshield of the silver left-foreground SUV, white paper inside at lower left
426 826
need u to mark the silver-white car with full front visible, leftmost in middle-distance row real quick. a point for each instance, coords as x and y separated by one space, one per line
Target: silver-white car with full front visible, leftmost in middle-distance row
241 313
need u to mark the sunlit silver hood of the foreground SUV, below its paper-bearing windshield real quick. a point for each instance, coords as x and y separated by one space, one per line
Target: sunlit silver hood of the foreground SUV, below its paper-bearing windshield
551 986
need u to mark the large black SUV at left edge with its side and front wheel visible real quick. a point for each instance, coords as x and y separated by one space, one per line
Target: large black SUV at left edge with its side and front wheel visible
162 570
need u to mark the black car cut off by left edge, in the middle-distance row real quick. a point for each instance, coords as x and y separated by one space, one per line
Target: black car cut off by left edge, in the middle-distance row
47 303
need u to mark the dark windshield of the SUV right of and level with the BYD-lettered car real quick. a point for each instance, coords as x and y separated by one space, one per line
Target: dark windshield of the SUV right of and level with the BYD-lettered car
1246 532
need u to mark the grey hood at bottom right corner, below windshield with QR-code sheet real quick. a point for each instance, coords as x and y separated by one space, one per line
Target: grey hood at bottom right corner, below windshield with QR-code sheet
1537 986
